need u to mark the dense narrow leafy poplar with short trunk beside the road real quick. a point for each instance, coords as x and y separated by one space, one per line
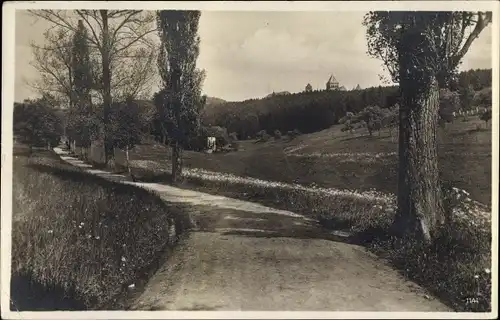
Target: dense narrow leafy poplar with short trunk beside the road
179 101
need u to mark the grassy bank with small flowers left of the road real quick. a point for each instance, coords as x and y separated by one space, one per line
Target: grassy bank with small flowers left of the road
80 236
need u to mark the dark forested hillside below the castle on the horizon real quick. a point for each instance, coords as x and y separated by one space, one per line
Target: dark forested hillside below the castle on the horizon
317 110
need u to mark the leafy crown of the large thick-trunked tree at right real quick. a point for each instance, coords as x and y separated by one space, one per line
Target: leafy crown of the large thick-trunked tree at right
440 40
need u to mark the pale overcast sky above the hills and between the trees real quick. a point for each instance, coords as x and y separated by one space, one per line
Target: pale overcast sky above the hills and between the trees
250 54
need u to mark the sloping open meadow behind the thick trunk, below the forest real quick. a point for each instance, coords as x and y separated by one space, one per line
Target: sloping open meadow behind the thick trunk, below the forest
335 159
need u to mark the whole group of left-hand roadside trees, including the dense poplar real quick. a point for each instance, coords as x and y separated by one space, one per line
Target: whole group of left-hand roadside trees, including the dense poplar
100 63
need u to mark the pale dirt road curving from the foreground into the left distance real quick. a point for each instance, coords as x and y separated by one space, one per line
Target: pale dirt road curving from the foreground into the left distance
244 256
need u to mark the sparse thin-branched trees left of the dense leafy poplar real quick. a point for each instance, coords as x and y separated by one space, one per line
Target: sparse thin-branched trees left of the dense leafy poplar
91 59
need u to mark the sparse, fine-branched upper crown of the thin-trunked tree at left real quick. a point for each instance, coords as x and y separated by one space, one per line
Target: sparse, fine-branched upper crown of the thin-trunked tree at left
130 48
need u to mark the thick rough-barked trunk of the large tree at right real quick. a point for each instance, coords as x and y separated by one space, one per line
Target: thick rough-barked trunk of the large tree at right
420 208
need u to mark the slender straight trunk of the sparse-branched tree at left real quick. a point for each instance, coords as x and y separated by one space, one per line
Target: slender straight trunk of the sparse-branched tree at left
106 83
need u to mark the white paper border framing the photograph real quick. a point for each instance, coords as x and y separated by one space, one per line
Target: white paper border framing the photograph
8 45
